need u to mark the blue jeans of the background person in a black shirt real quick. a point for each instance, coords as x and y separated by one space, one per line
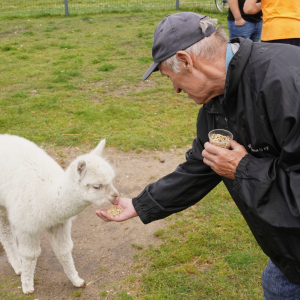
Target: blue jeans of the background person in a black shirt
248 31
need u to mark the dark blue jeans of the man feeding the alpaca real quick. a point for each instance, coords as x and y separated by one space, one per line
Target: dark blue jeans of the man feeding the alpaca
276 286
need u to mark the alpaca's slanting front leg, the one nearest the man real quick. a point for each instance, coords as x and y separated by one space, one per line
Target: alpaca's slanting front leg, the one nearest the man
61 241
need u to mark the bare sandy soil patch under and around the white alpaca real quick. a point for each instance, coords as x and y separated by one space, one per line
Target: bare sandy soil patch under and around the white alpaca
103 252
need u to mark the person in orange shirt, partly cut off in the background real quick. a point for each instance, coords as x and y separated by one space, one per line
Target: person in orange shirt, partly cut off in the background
281 20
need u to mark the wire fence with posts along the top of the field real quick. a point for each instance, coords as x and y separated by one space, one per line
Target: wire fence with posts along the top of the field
25 8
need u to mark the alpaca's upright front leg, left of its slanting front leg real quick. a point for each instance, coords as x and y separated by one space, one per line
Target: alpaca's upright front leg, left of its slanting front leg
29 249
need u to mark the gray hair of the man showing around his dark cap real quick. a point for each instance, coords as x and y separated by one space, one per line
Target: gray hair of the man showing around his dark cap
208 47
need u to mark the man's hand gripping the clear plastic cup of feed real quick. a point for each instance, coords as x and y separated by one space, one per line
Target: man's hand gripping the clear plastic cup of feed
223 161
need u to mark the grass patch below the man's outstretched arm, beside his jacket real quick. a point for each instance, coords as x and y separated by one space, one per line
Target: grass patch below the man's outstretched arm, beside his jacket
208 252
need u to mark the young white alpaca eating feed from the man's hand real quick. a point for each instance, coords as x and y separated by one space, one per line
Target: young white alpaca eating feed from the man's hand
36 194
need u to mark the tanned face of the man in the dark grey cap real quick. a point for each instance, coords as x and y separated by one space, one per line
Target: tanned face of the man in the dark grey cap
197 84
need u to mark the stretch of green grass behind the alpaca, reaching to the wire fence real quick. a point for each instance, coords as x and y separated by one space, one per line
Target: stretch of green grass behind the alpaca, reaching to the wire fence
70 82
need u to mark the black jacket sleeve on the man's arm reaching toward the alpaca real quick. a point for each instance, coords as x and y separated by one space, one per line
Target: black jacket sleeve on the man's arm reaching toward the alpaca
188 184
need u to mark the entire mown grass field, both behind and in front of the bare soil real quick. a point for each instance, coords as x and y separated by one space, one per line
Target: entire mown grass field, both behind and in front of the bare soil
72 81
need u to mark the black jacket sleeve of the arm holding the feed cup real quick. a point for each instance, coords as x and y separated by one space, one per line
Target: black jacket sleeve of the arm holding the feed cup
270 186
